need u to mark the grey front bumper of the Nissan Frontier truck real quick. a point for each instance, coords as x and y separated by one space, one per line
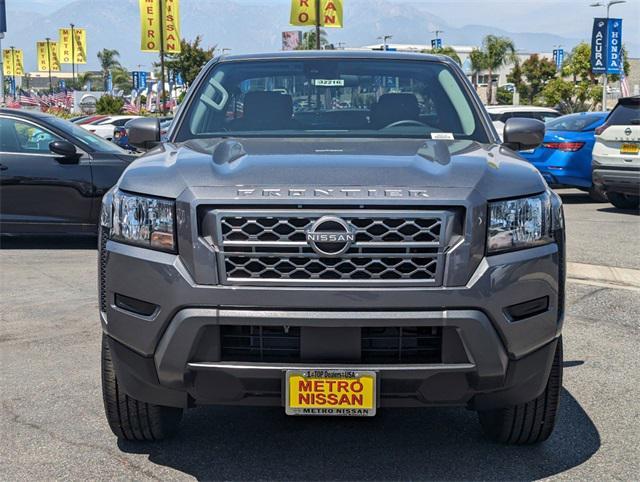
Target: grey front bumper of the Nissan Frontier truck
172 356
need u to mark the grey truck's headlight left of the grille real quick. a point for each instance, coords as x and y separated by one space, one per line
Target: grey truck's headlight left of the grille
143 221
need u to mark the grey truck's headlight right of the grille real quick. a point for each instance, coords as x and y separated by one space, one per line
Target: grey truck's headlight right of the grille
519 223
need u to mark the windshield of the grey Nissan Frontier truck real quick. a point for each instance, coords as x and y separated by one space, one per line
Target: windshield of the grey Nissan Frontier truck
334 98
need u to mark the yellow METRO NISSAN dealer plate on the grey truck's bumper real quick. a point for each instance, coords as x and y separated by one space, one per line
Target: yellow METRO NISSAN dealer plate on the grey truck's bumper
346 393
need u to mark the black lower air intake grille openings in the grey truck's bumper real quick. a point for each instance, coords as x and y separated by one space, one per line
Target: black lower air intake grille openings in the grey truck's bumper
379 345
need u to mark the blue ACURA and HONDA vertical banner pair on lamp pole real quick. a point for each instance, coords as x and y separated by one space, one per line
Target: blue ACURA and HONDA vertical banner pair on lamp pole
606 46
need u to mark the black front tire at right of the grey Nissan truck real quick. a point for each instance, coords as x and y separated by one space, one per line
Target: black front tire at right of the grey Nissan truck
531 422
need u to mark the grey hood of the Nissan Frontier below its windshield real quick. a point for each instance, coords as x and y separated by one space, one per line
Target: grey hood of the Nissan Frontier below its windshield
491 170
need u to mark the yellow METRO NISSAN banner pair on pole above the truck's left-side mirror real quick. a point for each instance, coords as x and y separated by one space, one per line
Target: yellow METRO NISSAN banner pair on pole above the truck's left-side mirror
150 18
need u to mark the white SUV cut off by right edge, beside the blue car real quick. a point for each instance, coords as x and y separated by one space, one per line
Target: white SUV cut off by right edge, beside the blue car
616 154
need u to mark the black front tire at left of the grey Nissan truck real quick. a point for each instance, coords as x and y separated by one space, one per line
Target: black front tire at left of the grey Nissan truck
131 419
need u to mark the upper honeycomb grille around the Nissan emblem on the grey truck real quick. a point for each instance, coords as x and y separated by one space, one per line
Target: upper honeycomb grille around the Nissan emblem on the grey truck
388 246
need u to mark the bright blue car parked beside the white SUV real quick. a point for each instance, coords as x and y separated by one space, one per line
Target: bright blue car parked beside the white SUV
564 158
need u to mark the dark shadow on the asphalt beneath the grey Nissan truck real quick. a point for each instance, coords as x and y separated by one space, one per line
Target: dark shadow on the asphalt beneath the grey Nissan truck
424 444
